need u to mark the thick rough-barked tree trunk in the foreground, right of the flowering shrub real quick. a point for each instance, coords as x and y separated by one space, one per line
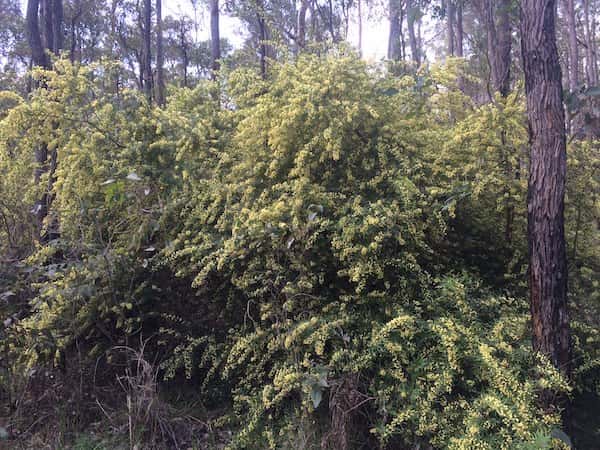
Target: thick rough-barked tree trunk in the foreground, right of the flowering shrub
546 191
